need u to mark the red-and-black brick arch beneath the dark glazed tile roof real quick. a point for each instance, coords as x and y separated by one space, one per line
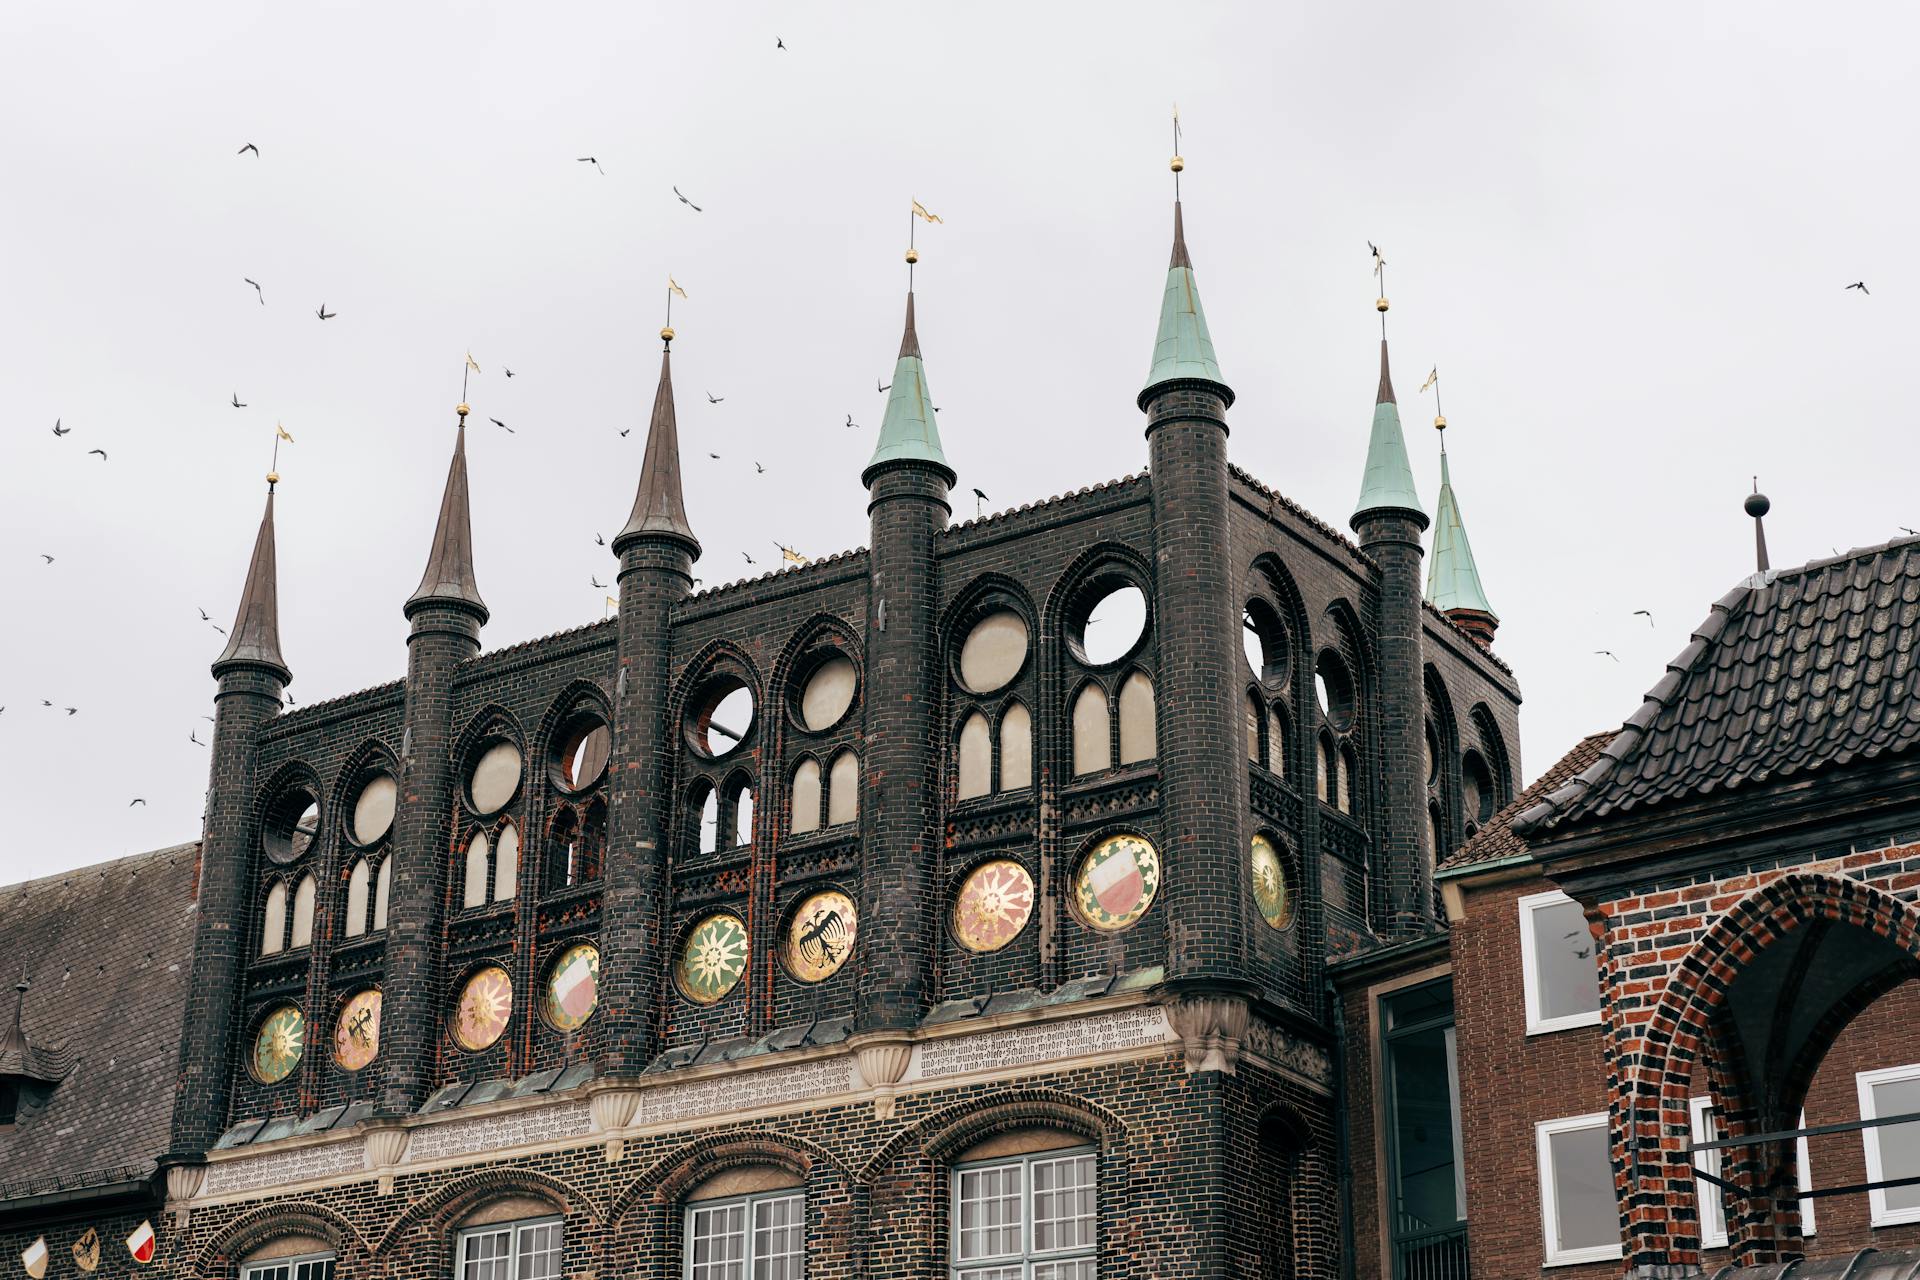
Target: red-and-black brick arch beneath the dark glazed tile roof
1652 1124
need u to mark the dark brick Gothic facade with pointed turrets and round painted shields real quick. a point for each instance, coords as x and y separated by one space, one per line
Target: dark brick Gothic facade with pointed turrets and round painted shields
452 838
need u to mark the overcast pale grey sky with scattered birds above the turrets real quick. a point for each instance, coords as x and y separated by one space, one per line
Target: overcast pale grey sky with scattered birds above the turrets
1621 231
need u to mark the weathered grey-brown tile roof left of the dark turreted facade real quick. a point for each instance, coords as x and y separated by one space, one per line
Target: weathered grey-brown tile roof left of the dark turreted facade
108 951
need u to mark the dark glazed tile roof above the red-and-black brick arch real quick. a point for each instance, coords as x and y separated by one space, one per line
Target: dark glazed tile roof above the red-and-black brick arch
1810 669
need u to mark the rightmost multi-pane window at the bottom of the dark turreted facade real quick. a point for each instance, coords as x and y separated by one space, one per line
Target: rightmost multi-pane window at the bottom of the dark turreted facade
1030 1218
